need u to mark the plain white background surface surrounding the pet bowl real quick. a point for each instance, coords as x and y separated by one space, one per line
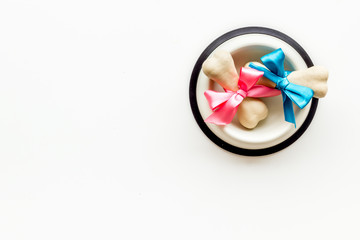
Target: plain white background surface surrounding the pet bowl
97 138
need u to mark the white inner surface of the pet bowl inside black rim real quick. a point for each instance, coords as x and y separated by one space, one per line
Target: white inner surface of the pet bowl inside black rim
274 129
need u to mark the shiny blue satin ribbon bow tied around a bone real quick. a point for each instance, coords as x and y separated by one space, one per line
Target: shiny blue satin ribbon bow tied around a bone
290 92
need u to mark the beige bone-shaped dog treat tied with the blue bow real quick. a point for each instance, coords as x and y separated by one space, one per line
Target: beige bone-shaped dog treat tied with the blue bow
314 77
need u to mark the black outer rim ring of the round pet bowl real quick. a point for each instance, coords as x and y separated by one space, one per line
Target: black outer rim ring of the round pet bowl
195 108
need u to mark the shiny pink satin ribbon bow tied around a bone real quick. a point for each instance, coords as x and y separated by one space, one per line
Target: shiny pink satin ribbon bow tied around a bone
225 104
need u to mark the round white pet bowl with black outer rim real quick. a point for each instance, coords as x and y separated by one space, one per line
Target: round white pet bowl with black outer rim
272 134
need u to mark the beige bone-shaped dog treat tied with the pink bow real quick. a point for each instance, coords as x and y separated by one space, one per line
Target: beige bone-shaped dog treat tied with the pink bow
221 68
